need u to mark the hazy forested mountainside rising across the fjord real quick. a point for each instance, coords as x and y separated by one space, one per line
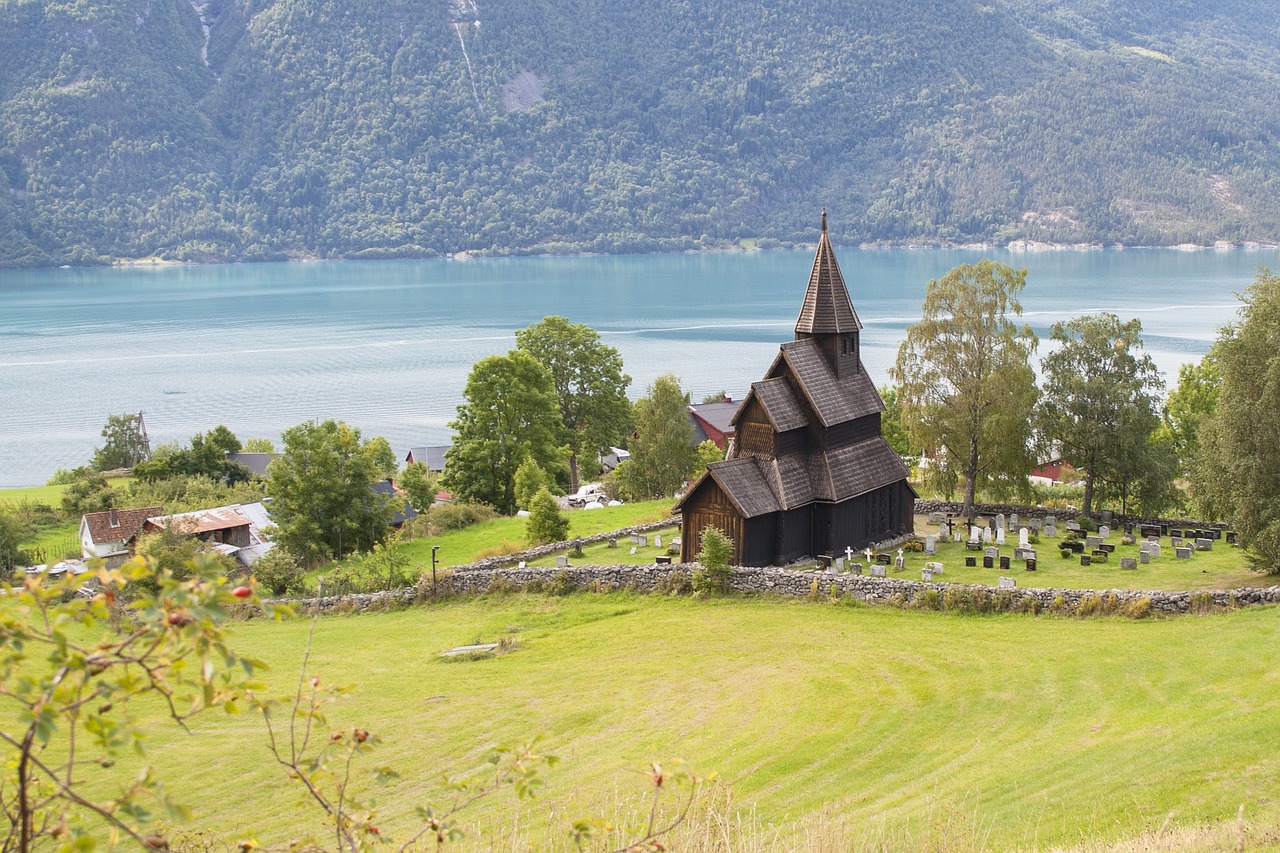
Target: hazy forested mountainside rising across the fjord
276 129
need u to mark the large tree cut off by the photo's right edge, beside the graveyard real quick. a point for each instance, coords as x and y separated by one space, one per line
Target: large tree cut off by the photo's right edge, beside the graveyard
1237 472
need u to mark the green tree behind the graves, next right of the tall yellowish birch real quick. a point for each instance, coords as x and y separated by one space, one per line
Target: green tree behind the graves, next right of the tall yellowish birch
1100 404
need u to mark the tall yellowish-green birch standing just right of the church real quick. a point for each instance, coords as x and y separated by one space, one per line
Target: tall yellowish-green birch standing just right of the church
966 380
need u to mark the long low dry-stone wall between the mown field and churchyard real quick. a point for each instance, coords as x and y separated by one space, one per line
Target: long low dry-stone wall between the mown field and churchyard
801 583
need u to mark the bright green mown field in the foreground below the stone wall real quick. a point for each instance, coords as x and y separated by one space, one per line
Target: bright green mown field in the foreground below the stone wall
831 727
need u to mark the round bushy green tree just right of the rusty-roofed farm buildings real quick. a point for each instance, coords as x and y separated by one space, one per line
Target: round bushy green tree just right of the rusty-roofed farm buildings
322 499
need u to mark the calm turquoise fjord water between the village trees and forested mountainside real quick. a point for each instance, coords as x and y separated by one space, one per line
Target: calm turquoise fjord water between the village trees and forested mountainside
387 345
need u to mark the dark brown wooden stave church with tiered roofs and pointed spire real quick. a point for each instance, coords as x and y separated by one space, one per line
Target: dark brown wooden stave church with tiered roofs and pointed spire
810 473
